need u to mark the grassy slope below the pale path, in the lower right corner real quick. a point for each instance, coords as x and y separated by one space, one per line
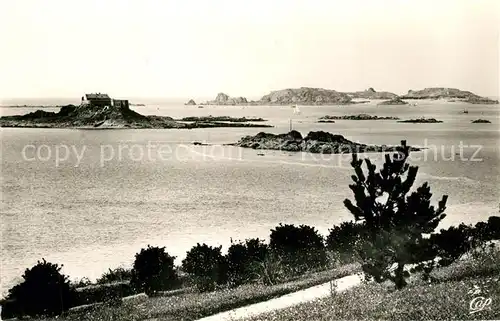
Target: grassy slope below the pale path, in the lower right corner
448 297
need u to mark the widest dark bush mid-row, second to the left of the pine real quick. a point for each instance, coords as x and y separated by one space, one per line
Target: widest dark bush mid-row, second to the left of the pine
298 248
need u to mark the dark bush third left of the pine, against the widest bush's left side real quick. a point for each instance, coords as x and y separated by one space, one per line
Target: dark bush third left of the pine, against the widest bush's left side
243 259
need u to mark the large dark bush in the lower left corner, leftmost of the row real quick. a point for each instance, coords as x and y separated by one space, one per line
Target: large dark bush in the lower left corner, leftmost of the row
44 291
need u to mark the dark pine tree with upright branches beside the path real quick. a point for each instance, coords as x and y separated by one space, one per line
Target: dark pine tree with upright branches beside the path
395 219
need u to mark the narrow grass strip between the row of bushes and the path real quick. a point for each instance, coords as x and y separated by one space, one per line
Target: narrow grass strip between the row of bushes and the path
191 306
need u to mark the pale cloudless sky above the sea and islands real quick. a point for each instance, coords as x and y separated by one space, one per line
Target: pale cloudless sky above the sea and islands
161 48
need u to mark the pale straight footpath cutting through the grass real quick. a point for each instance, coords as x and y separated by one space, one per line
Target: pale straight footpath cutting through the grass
313 293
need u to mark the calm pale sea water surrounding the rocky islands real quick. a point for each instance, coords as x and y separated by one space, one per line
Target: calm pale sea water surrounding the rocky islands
120 190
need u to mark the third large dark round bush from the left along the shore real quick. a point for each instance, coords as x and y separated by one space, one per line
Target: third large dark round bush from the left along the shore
206 266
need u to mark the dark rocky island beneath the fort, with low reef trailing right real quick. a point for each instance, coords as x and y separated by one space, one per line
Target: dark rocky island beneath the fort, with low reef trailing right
88 116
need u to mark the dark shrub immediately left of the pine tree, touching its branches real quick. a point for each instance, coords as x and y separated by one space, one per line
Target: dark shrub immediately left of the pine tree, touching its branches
344 240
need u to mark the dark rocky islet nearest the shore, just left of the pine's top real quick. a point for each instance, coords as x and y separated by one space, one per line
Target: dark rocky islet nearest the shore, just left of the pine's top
315 142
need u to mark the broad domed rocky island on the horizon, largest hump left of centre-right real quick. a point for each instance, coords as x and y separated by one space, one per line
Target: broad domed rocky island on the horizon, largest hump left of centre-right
306 96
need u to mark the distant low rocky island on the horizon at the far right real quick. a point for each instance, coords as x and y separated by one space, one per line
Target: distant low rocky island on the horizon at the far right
452 94
